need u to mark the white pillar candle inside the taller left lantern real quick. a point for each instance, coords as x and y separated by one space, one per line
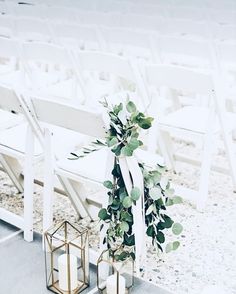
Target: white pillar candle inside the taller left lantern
63 273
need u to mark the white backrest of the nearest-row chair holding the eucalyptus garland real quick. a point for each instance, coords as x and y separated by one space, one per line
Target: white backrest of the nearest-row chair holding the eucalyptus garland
79 119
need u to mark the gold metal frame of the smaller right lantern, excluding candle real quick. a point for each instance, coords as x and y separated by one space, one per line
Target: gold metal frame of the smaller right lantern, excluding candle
107 257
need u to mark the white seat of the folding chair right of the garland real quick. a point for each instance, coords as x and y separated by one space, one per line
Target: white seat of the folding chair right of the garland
190 118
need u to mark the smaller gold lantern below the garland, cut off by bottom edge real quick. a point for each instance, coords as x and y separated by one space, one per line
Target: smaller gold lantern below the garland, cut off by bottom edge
115 277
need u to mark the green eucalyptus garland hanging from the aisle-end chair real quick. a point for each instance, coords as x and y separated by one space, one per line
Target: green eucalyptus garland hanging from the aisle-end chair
123 134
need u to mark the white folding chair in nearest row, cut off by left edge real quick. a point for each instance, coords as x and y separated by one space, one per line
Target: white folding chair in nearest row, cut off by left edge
25 142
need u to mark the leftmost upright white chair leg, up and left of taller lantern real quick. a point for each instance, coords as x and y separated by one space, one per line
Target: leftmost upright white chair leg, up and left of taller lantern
28 187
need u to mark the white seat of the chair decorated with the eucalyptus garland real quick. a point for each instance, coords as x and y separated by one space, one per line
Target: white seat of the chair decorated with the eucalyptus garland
94 166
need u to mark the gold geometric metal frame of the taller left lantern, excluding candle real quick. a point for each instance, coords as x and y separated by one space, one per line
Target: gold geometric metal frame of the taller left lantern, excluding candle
56 244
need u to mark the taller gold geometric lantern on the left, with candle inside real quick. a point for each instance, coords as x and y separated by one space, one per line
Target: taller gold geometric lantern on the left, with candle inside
66 258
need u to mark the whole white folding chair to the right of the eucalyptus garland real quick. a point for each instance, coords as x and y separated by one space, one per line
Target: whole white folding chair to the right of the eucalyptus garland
198 120
